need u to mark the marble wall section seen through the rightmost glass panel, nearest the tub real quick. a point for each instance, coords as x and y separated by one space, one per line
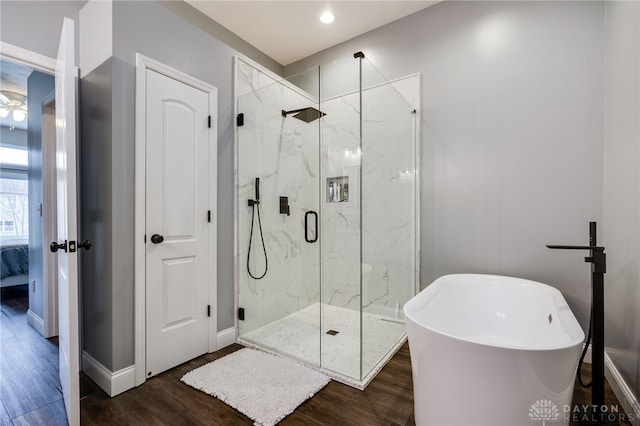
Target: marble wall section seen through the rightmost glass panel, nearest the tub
389 209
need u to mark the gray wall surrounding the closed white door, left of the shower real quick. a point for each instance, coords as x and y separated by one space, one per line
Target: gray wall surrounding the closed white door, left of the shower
108 164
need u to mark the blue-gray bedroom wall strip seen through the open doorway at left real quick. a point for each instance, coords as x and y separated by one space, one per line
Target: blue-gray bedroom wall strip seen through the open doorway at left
39 86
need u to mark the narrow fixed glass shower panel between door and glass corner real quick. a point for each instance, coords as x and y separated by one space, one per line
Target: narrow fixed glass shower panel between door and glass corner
340 230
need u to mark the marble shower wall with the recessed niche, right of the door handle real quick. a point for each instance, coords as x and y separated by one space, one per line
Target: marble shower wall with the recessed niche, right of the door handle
381 210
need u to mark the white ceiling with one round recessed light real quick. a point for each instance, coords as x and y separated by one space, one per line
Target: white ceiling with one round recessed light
288 31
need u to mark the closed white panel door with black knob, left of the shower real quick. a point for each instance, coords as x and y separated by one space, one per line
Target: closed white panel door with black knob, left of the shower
177 204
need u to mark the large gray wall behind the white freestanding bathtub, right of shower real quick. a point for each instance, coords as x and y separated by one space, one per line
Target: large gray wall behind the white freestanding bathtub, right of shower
512 124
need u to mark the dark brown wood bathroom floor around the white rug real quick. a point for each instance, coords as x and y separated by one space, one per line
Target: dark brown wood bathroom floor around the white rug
387 401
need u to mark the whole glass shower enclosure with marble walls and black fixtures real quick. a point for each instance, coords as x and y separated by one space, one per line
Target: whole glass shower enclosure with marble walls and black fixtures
326 215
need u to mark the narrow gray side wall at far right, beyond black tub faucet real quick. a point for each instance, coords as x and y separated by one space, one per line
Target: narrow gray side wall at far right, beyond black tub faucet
622 189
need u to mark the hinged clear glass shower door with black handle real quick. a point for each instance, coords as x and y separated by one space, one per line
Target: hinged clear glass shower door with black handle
279 311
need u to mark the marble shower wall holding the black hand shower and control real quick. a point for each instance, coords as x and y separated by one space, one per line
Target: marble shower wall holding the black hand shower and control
283 153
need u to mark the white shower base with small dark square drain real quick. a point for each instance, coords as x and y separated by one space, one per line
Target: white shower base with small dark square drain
297 335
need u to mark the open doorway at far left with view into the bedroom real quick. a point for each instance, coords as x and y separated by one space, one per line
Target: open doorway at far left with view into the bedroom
28 295
